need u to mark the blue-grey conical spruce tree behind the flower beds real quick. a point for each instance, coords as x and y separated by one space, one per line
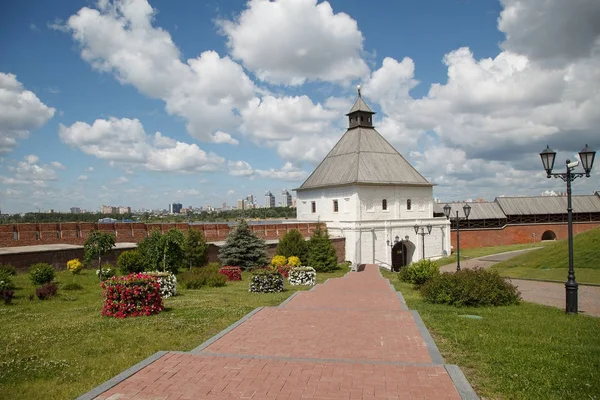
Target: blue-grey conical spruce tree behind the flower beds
243 248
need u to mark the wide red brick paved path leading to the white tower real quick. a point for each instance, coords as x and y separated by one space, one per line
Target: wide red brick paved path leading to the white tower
350 338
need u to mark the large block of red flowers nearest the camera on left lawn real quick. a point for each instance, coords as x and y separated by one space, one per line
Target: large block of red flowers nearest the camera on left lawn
131 296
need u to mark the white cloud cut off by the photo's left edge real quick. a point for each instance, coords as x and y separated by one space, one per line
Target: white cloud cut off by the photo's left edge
22 112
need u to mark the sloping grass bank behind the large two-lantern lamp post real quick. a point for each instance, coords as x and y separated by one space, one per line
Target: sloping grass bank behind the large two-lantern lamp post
552 262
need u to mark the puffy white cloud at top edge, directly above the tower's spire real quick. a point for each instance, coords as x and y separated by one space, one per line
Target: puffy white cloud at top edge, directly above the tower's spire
291 41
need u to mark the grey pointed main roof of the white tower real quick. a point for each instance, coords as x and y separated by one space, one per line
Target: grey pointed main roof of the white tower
362 155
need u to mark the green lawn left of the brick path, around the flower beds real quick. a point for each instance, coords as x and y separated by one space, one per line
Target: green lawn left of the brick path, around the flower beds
62 348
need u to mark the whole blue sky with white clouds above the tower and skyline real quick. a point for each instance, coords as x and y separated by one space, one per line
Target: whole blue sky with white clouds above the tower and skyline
145 103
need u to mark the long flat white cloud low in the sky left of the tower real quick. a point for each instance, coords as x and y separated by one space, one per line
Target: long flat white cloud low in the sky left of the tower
125 141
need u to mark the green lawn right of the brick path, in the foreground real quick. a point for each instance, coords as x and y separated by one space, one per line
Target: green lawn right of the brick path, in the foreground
527 351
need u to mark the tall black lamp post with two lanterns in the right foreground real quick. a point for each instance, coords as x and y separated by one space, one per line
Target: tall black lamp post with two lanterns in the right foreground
587 161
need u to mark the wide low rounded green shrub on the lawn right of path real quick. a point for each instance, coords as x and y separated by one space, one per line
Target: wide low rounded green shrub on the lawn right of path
471 287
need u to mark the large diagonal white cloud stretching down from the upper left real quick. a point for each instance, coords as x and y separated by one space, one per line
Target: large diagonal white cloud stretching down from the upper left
206 91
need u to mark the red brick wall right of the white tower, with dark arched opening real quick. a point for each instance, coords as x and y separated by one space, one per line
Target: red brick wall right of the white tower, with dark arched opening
514 234
